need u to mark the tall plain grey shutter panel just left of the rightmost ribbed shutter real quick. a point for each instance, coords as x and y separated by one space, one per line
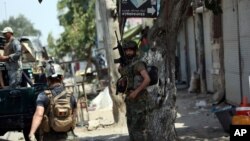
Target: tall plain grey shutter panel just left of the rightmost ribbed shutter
231 52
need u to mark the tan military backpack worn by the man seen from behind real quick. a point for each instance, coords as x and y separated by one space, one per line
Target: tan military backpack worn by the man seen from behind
59 113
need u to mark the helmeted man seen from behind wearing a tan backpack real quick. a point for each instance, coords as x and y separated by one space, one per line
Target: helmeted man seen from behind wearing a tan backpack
55 114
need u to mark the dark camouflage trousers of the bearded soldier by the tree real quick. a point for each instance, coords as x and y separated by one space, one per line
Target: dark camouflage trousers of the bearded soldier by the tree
137 118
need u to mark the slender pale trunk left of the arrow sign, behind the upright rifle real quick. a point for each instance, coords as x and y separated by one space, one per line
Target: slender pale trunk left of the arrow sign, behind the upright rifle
110 25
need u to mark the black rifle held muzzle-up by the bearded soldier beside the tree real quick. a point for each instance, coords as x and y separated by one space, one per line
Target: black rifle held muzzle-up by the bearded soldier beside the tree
122 60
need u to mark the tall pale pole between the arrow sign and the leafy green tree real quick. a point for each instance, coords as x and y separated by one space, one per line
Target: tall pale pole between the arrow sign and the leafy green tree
107 24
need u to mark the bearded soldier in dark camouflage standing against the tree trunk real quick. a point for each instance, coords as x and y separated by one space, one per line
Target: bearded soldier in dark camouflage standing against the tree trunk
136 93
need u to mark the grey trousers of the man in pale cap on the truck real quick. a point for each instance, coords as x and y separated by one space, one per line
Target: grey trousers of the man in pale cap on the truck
15 77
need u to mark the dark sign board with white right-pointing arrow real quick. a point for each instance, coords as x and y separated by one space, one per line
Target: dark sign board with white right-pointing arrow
139 8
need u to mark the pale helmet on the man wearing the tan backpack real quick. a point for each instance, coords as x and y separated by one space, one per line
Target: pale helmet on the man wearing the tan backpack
53 70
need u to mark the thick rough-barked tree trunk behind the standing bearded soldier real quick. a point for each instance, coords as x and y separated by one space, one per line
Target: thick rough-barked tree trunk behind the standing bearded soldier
163 39
